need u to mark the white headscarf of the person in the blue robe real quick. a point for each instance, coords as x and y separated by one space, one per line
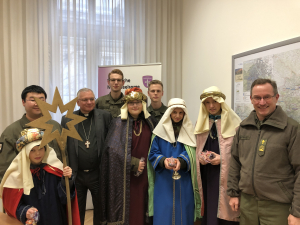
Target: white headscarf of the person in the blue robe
164 128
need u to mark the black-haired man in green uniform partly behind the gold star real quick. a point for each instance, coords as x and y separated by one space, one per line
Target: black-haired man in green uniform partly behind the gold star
12 133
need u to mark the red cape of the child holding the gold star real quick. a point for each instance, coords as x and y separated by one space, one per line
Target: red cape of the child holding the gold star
11 198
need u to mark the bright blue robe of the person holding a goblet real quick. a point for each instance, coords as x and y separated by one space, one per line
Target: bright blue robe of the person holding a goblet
173 199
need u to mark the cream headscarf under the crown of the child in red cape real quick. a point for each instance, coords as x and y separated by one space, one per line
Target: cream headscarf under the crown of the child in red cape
18 174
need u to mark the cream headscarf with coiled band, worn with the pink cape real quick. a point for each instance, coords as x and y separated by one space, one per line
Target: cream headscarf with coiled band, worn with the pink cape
229 119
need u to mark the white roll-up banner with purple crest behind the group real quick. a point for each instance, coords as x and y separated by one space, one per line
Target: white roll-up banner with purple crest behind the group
134 76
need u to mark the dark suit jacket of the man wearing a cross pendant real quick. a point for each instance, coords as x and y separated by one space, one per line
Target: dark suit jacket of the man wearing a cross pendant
102 120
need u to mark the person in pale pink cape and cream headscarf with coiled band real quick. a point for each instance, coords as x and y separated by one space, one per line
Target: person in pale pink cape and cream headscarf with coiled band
216 126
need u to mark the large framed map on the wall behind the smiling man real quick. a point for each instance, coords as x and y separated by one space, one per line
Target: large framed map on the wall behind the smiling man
279 62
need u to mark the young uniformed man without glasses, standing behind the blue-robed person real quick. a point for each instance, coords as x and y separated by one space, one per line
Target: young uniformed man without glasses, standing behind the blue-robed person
155 92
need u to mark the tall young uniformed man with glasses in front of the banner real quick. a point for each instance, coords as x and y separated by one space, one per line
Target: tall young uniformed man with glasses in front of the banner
112 102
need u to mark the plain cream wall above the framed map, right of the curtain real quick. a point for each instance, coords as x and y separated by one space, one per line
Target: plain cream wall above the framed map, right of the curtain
214 30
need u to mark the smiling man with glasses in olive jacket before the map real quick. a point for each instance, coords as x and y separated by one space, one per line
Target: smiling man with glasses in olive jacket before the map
263 178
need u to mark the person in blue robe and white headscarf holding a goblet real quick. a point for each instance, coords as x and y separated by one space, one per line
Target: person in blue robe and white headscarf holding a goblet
173 201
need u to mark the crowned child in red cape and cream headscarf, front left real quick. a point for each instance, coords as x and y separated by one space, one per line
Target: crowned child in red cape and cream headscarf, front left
35 182
